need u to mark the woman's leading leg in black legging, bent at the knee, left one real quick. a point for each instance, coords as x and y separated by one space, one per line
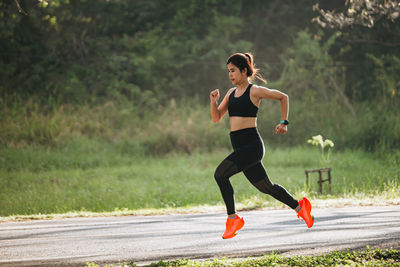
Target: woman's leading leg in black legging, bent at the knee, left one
224 171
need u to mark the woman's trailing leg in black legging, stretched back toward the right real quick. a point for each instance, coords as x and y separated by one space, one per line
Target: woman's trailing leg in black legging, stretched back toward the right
258 176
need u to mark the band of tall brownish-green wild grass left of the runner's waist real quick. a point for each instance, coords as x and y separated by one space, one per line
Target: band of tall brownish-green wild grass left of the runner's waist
183 127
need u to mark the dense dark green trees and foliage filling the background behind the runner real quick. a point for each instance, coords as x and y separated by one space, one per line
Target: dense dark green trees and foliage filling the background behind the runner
343 80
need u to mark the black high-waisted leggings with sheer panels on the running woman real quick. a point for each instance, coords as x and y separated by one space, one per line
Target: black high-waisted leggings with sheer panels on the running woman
248 151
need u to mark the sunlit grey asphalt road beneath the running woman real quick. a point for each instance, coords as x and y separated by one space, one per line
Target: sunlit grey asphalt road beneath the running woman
145 239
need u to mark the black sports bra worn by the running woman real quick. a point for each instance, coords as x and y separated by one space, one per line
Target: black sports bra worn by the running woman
241 106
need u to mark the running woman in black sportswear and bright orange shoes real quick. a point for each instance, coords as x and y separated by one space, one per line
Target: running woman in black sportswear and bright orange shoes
242 102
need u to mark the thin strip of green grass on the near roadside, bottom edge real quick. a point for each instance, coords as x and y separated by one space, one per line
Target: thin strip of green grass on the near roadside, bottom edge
368 257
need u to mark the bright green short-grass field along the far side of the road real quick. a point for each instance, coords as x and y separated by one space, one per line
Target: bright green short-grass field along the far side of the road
100 177
